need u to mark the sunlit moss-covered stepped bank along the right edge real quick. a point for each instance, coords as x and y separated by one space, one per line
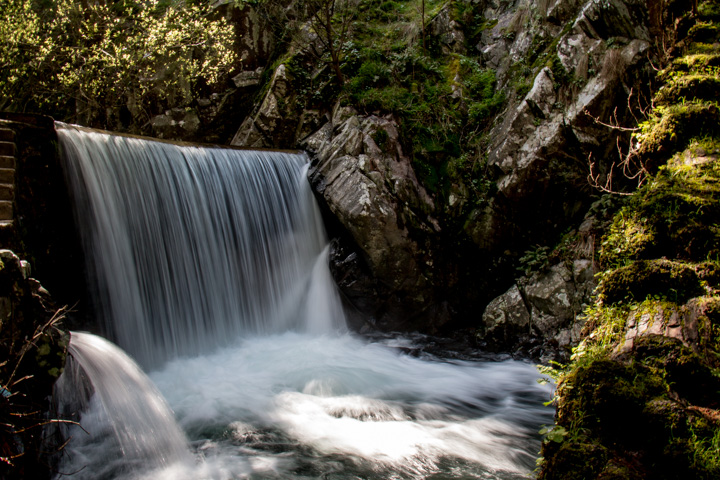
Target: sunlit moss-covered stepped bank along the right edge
640 397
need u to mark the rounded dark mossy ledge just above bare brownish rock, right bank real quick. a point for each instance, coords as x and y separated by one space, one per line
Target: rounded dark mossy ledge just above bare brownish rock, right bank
676 281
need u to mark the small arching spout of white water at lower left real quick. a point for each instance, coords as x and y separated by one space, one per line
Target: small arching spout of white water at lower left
124 416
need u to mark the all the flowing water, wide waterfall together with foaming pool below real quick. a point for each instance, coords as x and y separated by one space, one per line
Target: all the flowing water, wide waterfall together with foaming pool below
211 270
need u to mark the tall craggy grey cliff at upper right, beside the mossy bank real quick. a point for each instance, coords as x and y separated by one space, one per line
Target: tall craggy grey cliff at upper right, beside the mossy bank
587 54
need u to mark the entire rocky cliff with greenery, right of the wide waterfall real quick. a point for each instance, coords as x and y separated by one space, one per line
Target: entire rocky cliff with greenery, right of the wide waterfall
434 231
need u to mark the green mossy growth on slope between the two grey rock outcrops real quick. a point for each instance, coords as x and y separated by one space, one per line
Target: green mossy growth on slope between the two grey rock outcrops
441 105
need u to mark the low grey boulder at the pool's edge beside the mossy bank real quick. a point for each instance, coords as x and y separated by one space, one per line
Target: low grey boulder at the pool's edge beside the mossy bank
539 314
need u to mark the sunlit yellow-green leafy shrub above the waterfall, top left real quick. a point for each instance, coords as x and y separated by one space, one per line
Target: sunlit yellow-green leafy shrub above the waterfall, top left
89 61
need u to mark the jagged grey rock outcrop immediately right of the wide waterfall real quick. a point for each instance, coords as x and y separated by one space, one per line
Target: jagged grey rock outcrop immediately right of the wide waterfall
361 174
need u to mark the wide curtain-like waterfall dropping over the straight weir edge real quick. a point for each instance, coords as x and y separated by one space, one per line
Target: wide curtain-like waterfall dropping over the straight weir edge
192 247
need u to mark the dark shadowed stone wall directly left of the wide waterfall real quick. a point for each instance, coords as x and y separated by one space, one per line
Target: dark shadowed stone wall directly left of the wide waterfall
42 228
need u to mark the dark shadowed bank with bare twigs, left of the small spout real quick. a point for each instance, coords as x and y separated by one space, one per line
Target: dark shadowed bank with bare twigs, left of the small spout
33 353
